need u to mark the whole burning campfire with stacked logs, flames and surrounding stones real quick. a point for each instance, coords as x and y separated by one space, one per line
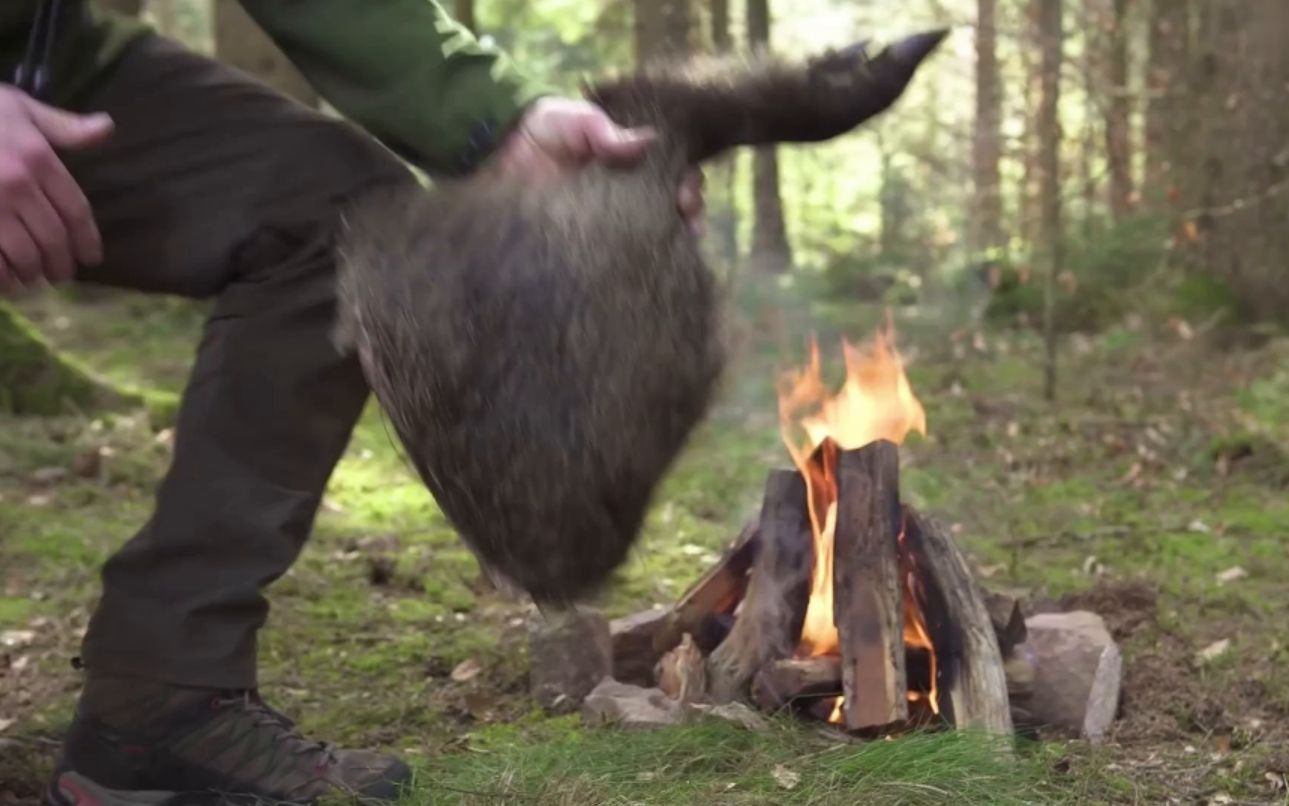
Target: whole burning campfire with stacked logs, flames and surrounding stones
841 603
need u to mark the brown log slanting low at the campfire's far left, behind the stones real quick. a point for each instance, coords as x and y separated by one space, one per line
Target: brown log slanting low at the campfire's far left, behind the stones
716 595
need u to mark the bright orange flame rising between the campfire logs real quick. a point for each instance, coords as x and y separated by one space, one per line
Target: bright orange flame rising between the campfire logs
875 403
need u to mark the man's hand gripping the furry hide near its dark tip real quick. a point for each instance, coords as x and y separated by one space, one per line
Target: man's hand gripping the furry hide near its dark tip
559 135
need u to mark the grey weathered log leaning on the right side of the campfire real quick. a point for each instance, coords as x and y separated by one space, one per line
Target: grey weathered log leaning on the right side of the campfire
974 694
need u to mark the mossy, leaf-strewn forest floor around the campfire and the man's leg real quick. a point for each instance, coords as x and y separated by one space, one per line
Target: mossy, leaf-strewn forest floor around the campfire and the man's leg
1154 493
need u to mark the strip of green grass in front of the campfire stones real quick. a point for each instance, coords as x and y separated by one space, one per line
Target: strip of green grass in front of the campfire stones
713 763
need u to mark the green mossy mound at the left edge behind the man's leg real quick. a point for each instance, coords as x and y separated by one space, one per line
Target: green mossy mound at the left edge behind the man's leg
37 380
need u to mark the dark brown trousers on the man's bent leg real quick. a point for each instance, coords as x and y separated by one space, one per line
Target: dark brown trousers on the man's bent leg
213 186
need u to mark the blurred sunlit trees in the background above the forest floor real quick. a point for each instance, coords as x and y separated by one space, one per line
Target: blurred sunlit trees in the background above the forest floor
1074 162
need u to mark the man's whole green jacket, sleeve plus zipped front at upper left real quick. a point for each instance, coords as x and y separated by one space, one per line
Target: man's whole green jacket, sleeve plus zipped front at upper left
402 69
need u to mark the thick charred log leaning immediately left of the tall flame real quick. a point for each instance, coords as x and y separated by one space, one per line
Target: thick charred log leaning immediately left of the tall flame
770 622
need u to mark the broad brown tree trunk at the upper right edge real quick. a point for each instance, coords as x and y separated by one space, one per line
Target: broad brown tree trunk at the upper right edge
1248 167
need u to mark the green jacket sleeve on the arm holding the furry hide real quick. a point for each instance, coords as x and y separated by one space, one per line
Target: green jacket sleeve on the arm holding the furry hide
407 73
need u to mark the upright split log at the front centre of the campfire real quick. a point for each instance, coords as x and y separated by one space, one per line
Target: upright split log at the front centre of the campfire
868 600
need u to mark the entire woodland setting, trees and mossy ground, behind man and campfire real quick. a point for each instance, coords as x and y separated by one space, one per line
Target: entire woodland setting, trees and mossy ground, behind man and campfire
1078 203
